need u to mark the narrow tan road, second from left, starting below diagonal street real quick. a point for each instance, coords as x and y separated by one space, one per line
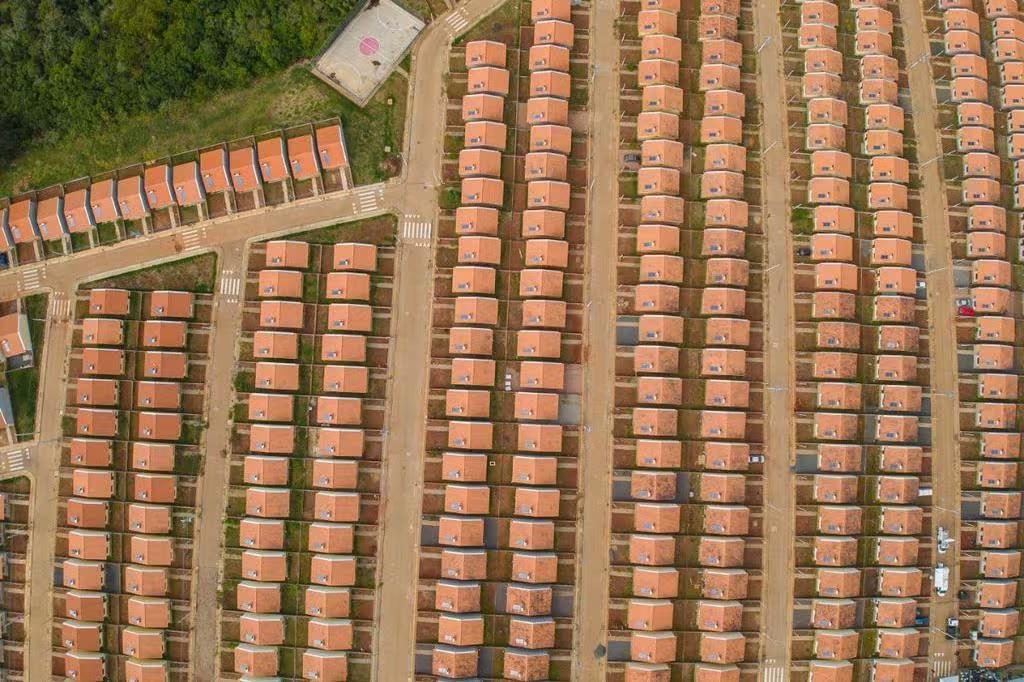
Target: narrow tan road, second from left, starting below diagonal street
227 326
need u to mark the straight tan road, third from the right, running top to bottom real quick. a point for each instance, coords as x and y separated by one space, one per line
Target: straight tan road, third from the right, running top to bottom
594 525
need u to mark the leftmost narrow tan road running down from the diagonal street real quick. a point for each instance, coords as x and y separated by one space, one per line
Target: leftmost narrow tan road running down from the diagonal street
44 511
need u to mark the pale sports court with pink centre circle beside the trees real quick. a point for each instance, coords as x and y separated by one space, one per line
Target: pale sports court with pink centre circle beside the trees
367 51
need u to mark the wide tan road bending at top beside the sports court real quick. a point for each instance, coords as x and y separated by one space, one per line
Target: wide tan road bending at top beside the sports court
402 494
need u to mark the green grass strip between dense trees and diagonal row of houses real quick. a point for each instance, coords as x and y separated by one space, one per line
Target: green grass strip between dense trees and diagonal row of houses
292 98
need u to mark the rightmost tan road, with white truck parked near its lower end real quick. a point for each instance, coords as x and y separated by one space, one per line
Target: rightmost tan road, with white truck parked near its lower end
942 322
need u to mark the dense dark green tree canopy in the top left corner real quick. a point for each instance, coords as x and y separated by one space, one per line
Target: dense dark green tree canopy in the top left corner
74 66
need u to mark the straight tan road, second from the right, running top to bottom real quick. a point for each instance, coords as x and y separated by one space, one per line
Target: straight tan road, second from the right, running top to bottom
777 591
